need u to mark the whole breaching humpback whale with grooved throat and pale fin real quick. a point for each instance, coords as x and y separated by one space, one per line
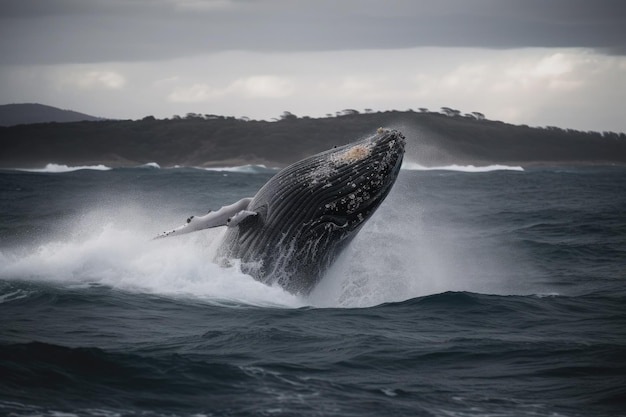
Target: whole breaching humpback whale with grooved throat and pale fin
293 229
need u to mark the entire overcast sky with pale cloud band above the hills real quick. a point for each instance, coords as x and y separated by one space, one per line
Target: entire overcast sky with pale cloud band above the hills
536 62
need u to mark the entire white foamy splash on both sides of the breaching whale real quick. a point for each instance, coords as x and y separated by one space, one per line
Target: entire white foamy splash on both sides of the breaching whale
400 254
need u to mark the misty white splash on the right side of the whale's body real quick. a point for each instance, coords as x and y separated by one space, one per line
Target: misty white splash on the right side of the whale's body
402 253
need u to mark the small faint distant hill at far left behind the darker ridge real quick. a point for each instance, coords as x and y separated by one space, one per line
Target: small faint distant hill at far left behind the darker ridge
29 113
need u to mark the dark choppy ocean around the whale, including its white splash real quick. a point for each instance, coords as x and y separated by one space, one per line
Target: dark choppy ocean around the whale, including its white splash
472 292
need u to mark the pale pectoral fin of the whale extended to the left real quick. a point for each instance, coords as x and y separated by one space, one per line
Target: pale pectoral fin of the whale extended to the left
222 217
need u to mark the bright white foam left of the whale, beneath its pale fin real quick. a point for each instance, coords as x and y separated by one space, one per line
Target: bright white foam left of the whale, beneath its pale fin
125 257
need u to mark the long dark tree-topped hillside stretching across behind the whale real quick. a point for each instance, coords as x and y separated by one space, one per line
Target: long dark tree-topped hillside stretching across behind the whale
434 139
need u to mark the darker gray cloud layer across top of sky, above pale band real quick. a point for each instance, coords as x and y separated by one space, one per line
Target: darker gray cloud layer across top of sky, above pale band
74 31
